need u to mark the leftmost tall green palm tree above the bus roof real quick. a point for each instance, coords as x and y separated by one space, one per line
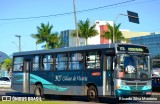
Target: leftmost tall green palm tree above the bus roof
45 35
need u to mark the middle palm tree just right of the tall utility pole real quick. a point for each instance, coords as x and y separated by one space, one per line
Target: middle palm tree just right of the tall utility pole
85 30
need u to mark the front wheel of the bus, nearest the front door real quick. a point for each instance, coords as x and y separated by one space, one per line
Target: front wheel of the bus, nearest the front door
92 94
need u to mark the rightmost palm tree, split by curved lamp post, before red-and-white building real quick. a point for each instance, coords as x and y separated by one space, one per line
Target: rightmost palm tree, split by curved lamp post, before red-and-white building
118 36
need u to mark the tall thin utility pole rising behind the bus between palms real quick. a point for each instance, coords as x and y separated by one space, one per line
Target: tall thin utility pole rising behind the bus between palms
75 18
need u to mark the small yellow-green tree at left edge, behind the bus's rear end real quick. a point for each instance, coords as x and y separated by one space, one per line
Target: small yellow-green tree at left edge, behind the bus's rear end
7 64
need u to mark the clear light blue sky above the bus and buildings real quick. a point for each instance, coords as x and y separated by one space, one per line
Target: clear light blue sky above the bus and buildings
15 18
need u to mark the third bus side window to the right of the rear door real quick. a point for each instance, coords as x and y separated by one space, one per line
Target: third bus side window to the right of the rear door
61 62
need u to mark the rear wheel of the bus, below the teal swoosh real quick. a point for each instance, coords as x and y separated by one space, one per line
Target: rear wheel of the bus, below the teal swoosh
38 91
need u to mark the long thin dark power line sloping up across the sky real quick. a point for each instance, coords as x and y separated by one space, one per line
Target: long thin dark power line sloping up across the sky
61 14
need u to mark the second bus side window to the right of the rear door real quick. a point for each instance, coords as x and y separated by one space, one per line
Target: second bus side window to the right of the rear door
47 63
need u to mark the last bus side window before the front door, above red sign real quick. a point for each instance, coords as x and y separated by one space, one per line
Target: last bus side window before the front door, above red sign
93 60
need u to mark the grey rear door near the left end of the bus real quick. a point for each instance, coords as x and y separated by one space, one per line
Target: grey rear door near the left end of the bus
26 76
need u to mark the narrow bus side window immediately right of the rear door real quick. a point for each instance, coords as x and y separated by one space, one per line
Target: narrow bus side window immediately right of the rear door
36 63
